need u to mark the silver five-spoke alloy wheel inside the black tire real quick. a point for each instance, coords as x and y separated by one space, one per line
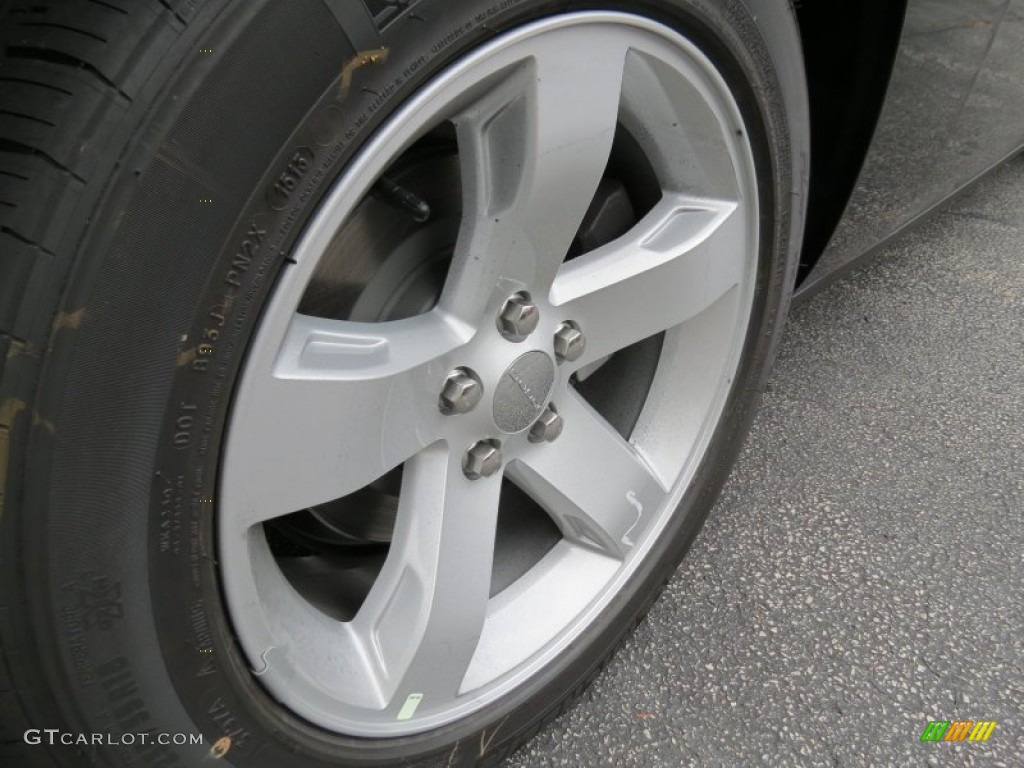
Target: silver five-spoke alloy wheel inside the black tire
324 408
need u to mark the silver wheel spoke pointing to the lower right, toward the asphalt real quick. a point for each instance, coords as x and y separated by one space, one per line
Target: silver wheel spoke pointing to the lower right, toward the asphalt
594 485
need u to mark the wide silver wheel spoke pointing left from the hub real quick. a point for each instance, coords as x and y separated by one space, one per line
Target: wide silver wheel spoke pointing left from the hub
342 405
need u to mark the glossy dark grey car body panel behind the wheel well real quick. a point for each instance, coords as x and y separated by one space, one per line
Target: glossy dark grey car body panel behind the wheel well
955 109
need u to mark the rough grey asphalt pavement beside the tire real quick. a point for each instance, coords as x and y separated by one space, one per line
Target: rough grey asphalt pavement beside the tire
864 571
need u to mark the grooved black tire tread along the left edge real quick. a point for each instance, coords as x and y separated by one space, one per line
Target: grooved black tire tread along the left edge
70 72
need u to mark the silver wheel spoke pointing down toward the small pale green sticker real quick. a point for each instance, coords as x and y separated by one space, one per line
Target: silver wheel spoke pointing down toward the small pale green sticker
425 614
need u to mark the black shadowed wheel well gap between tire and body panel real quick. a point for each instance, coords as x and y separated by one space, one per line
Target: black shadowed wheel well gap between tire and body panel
849 53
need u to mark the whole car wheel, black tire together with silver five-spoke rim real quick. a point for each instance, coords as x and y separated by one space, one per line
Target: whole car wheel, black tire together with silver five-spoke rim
365 388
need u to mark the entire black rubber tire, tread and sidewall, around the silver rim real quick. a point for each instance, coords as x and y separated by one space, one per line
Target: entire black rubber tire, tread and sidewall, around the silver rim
117 119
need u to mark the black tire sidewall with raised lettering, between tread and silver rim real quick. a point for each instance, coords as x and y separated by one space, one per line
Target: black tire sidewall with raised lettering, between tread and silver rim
136 631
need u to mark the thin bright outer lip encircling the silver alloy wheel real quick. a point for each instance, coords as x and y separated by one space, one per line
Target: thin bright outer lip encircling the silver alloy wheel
350 190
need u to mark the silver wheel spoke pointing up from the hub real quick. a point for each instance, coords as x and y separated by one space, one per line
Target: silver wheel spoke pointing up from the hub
534 150
